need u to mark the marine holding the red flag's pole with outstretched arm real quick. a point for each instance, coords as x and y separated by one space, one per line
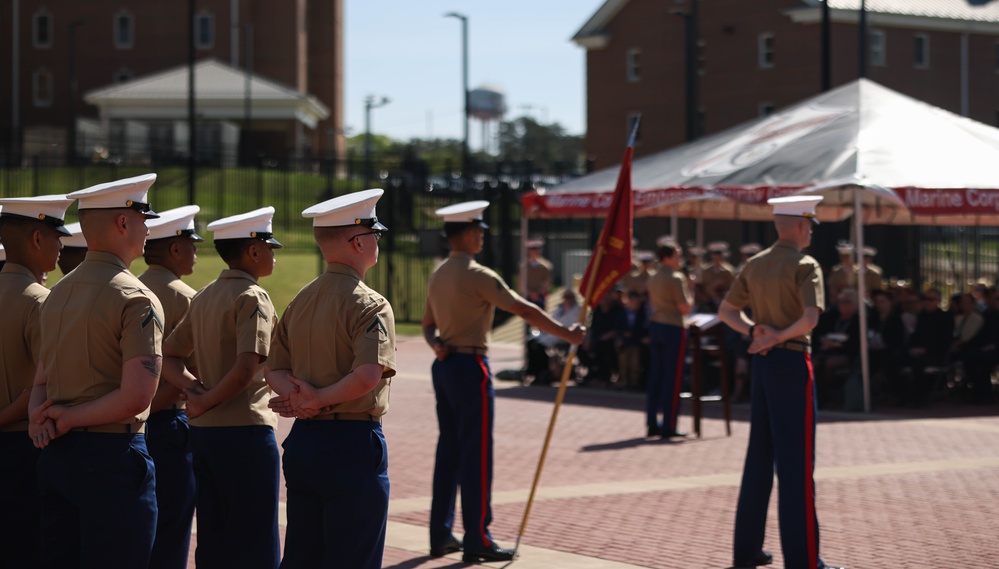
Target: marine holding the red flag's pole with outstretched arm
456 324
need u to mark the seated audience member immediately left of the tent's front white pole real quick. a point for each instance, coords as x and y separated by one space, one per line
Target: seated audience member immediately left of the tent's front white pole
836 348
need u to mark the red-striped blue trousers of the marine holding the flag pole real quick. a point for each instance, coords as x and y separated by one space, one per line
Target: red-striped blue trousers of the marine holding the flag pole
464 389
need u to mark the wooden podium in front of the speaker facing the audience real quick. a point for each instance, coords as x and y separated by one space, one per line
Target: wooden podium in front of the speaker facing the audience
702 327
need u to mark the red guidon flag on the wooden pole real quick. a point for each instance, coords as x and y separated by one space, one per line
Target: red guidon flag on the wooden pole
615 238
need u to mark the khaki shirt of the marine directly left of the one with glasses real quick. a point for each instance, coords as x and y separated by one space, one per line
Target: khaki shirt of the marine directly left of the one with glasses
231 316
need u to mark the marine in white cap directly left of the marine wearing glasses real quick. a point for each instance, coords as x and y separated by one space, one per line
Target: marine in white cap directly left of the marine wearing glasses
236 461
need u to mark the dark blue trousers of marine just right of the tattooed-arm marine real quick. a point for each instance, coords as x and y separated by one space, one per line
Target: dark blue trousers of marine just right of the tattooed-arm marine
167 437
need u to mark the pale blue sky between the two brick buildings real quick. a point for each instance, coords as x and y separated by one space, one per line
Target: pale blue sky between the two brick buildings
407 51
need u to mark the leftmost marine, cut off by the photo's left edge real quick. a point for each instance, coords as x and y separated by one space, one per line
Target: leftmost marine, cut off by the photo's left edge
33 247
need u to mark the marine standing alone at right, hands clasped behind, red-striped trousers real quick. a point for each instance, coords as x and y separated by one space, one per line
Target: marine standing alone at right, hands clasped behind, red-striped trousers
783 287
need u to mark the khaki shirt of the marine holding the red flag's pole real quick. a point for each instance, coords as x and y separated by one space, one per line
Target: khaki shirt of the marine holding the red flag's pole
461 295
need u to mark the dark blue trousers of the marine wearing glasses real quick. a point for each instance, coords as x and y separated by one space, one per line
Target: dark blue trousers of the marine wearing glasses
338 493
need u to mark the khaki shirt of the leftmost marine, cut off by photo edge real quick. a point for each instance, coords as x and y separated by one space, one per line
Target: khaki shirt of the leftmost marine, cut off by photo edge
20 336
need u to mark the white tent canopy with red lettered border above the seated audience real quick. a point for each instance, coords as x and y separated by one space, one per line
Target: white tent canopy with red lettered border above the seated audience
858 135
